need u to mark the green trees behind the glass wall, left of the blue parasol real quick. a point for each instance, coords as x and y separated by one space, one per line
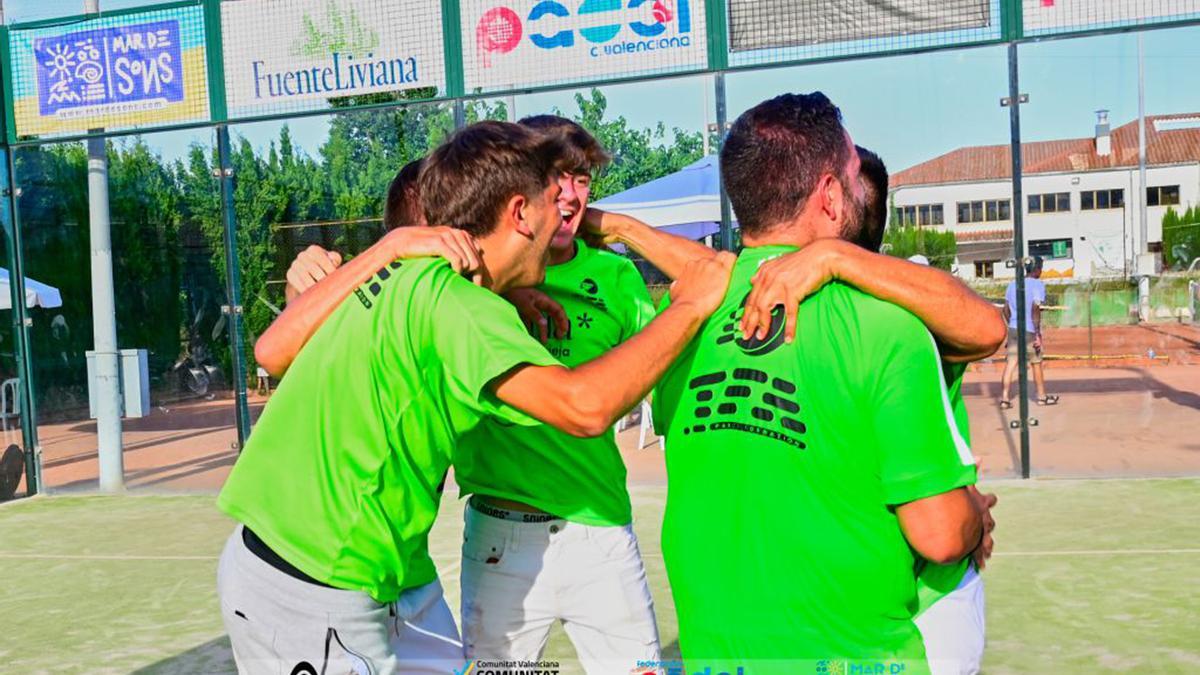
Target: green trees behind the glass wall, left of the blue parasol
169 234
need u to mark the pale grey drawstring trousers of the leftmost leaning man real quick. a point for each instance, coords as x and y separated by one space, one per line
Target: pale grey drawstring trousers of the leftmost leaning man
279 624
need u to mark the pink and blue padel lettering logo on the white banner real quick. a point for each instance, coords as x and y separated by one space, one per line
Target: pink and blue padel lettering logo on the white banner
501 31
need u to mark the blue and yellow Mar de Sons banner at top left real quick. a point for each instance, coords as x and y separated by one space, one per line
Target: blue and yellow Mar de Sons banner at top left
129 71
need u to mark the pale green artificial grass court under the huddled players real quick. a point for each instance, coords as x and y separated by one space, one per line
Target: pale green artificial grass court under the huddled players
1089 576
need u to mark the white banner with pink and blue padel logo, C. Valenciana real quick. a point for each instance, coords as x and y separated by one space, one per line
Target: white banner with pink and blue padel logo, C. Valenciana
513 44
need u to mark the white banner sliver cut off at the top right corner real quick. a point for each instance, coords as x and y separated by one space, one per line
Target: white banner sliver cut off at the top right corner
1045 17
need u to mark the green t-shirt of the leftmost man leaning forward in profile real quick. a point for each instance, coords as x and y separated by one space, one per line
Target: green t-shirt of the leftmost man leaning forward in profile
341 475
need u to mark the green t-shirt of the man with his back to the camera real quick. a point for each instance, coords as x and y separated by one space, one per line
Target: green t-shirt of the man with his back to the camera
784 467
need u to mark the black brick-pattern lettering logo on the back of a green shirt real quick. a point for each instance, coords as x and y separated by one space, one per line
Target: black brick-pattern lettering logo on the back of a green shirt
723 395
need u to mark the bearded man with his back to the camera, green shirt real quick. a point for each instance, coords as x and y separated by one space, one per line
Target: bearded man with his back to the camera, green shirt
829 507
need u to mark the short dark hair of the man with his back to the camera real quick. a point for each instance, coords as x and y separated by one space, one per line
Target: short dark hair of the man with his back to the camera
776 154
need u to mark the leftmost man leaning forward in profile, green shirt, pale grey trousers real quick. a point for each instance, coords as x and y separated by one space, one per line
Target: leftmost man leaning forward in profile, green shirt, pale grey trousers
329 569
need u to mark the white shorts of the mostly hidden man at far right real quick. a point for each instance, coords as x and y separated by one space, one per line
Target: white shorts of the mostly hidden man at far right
953 629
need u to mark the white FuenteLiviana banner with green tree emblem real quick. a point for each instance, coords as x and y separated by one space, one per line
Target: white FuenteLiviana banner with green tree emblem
279 53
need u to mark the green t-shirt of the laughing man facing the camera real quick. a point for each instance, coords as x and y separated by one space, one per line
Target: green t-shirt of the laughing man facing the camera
580 480
